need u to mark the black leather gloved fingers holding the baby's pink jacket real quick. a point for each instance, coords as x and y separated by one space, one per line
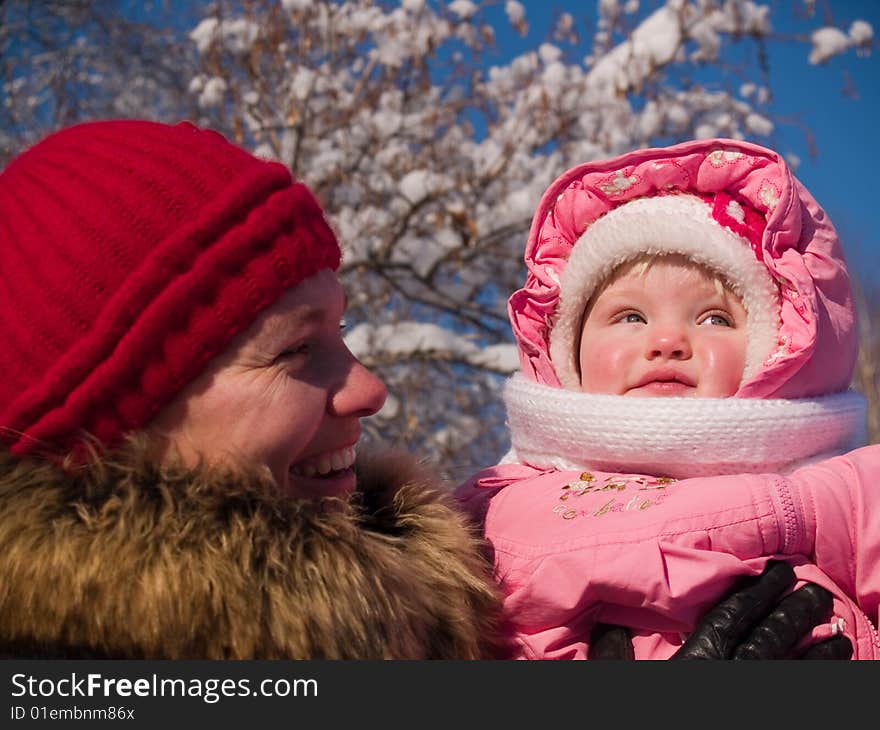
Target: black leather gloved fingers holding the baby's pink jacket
750 623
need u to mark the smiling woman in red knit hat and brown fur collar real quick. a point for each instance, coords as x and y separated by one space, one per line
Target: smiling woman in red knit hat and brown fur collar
180 417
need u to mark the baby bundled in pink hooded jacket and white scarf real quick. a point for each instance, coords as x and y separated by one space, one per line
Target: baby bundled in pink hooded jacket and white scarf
687 338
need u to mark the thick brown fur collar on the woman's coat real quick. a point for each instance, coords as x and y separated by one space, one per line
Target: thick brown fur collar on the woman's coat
122 559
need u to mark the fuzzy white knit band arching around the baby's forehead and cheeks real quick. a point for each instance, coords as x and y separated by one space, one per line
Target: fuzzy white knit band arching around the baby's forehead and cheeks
666 224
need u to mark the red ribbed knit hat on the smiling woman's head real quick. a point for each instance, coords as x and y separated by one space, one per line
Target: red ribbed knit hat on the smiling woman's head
132 253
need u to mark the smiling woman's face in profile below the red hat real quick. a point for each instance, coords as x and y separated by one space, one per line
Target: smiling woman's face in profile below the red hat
287 394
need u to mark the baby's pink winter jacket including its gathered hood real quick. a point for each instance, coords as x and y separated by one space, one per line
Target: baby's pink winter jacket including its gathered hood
573 547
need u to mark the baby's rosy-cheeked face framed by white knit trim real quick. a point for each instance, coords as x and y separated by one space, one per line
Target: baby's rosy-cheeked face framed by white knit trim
668 331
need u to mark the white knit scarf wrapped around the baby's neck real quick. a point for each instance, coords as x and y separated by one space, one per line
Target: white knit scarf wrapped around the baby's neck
677 437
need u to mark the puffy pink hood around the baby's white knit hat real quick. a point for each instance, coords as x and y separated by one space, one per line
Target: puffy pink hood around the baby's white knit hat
818 342
